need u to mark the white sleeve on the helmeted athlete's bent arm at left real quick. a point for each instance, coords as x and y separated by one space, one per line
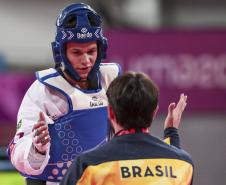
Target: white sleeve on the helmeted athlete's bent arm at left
23 156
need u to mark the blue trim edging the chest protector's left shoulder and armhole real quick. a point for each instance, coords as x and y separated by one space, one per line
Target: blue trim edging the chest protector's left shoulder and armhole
41 80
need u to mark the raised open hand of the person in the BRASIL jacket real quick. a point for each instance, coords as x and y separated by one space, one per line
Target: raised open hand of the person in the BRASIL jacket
173 118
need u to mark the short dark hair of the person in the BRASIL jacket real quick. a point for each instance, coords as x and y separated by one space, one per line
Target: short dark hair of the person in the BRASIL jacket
133 98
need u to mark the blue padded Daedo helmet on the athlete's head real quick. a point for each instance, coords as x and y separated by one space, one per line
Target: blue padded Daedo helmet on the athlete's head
78 23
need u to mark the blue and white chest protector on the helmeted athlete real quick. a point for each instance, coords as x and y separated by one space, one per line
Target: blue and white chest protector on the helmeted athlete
84 128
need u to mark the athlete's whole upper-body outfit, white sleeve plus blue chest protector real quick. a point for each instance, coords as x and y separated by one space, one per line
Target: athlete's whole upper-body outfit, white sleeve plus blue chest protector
77 122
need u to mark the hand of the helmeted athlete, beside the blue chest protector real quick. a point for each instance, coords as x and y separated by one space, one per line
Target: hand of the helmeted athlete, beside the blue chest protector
40 135
